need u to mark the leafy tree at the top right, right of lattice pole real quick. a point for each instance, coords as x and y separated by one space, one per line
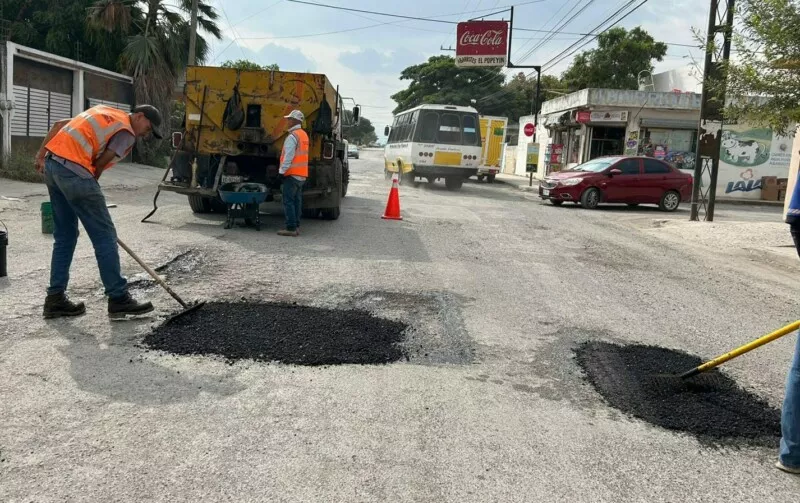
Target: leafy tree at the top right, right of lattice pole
766 64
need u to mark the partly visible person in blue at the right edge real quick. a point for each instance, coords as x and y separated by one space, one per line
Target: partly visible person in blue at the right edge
789 458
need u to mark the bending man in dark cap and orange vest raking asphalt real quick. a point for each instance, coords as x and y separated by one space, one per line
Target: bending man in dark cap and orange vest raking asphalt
73 156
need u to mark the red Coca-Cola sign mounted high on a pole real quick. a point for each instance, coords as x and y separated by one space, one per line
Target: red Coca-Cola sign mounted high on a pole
482 43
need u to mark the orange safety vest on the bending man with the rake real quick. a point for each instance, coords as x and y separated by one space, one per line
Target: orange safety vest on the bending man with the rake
85 137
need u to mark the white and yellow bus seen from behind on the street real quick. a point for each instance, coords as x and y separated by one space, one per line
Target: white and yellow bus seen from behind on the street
433 142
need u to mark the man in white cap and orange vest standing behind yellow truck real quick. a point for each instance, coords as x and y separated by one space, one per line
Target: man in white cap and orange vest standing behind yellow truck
294 170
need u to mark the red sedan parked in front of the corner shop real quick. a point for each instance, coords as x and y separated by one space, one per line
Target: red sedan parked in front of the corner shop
620 179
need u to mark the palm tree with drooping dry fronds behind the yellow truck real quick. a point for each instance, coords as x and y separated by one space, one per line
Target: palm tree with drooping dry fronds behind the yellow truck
158 42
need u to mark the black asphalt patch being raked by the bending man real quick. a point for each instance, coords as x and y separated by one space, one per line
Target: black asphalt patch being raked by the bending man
286 333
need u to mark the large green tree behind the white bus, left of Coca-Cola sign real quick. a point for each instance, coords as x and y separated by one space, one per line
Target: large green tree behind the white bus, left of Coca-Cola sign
438 80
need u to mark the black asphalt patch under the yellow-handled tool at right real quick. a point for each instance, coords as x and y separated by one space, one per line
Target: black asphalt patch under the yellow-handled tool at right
638 380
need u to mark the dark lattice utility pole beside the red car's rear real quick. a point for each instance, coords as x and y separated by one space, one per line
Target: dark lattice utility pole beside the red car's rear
720 27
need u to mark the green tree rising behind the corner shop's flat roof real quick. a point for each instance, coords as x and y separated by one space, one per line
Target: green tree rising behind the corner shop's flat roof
616 62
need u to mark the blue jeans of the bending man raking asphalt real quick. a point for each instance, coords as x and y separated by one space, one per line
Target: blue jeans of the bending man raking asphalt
74 198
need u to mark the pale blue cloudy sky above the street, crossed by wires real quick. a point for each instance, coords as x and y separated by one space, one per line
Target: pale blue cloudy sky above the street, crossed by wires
366 59
